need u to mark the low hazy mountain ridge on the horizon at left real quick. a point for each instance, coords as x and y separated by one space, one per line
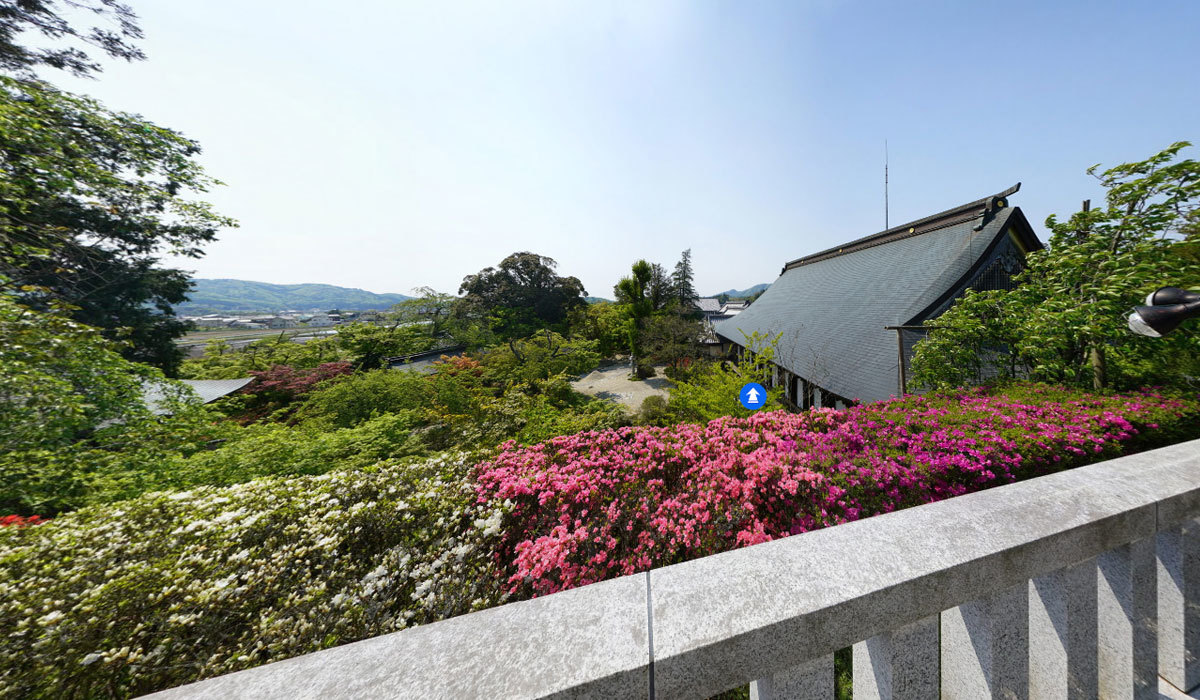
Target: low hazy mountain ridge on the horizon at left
242 296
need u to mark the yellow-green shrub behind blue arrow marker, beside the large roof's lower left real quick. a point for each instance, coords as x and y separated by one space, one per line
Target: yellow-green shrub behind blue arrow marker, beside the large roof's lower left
713 391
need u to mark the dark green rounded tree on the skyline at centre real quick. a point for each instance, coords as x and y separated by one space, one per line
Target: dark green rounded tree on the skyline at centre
523 296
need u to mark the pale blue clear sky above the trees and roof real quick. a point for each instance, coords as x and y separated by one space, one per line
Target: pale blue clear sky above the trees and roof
388 146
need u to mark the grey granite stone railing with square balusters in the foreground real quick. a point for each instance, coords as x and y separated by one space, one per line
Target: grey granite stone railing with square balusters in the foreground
1069 585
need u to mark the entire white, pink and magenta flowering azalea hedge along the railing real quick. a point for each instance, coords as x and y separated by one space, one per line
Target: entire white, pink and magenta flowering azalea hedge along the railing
173 588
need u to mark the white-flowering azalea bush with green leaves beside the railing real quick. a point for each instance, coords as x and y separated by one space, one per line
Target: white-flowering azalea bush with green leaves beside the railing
173 588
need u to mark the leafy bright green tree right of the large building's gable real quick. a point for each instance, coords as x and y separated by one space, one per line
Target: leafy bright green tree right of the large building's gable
1066 321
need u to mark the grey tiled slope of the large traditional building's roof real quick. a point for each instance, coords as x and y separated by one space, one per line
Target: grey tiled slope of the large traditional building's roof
833 312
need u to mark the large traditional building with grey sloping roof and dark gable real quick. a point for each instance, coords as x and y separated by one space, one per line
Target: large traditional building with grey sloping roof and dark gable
851 315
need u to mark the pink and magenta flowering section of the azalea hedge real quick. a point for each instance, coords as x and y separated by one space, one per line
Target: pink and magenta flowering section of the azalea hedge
599 505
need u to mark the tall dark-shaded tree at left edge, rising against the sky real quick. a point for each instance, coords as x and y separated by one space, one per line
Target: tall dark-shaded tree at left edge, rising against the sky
89 200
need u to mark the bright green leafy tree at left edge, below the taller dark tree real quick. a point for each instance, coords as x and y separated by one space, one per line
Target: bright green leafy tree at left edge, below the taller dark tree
75 427
